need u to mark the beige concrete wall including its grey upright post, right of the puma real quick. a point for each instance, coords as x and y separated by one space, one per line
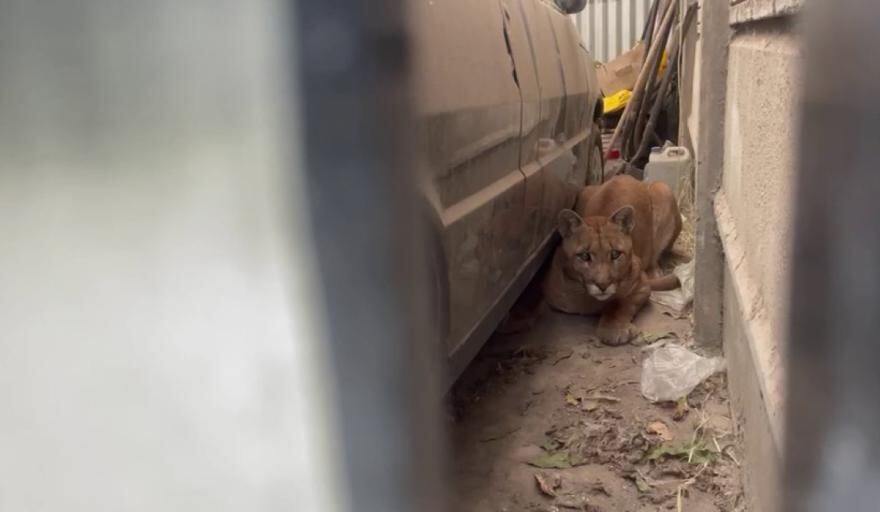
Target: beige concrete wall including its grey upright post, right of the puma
746 61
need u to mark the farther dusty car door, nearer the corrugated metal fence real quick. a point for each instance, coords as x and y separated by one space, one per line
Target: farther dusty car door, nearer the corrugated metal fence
556 128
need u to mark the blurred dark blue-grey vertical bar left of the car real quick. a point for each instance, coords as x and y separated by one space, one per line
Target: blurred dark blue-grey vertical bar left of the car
353 57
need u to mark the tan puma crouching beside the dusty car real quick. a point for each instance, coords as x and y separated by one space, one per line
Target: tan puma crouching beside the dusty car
621 228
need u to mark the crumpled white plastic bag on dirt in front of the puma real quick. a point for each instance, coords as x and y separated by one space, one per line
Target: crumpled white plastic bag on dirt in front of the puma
672 371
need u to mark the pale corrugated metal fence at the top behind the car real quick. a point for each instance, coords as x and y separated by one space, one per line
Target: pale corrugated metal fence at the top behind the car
611 27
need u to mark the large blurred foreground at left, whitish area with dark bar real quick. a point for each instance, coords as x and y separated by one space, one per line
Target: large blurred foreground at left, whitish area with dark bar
173 337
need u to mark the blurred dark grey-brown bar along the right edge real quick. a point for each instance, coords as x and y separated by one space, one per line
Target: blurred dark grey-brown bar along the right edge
833 444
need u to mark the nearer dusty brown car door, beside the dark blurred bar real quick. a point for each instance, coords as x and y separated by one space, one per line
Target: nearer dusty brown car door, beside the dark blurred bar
469 109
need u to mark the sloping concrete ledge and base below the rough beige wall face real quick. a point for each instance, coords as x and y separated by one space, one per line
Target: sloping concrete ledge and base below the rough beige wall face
755 373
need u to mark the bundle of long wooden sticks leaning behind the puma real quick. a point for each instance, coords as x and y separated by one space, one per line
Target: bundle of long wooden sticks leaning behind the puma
636 131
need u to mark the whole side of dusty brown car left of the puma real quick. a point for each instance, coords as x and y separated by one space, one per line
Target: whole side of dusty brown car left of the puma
507 101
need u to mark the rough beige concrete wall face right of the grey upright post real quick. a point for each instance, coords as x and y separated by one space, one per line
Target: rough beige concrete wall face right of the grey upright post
753 211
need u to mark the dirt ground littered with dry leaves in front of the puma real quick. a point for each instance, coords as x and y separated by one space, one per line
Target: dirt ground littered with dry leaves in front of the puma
551 420
